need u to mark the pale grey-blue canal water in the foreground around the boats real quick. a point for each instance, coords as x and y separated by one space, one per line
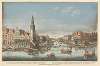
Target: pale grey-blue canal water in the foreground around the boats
76 55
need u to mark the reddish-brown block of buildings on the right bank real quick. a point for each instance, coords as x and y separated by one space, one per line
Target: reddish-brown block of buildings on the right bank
81 37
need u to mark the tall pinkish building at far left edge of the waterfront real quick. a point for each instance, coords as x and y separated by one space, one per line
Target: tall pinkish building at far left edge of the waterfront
7 37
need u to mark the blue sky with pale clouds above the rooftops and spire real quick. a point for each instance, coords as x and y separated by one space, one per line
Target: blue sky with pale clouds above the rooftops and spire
54 19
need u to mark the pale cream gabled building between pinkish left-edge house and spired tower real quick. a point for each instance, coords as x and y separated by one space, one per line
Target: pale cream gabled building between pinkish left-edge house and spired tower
21 39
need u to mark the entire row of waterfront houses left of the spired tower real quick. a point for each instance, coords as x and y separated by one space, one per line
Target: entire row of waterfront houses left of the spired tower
15 38
